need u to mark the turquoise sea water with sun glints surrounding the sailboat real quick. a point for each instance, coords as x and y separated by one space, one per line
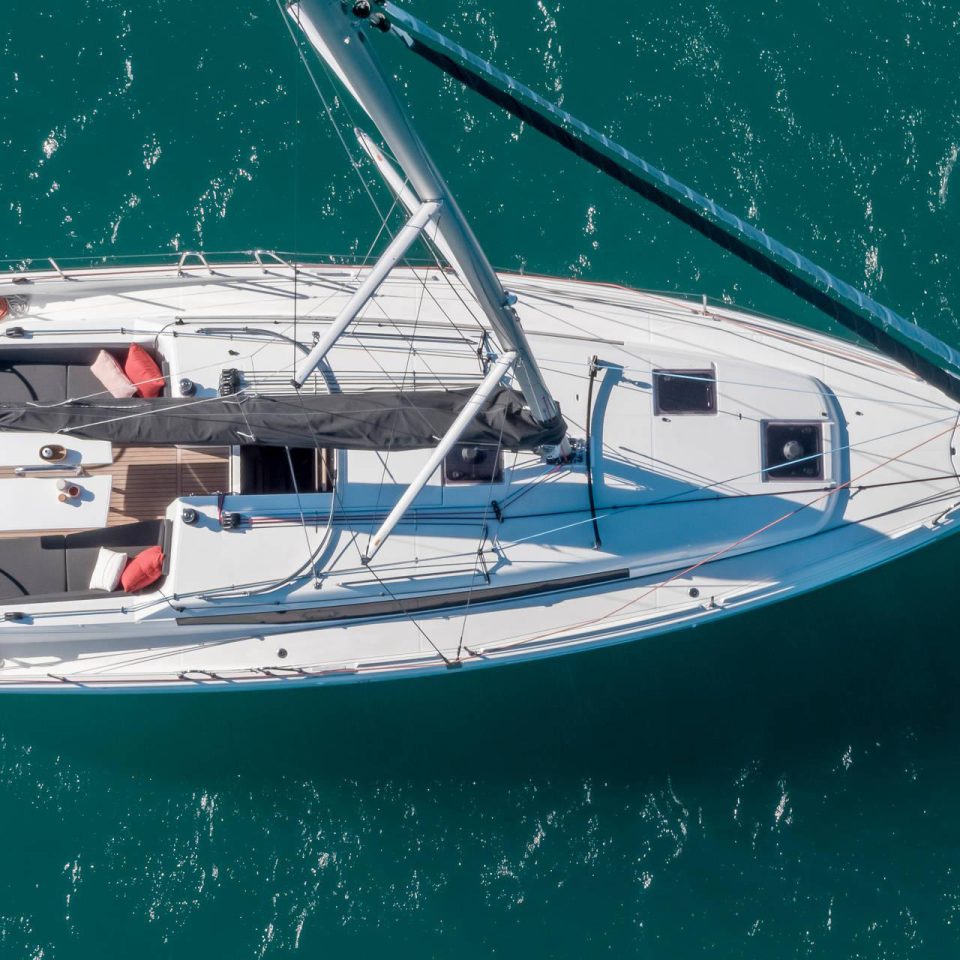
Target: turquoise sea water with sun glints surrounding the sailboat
781 785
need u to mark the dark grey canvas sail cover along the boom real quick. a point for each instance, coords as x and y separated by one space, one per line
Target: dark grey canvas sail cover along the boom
349 421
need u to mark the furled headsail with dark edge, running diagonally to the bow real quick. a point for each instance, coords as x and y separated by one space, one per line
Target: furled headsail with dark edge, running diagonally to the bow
910 345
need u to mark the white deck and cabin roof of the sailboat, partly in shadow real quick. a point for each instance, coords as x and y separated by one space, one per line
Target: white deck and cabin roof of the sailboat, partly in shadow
689 529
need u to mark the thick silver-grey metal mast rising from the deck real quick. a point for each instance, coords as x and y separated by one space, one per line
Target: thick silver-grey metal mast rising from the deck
341 40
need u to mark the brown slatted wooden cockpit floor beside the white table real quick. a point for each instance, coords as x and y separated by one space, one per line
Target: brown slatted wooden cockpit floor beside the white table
147 479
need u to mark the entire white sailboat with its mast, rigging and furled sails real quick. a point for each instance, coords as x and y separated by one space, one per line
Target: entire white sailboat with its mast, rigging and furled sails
269 471
